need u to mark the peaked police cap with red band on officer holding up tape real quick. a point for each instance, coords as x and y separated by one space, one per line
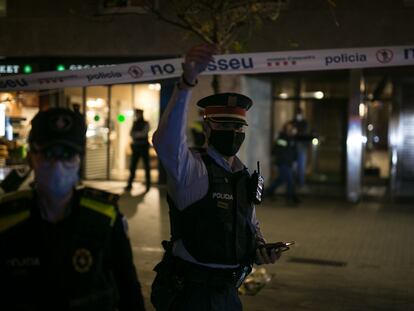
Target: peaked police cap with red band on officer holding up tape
226 107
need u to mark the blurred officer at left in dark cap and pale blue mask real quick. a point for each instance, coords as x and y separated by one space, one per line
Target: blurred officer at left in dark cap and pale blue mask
63 248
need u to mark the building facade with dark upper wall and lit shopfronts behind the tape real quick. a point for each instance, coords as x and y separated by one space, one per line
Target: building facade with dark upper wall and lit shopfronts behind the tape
374 104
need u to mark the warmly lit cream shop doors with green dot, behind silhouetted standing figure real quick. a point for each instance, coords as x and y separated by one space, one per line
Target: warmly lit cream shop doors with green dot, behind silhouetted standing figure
109 112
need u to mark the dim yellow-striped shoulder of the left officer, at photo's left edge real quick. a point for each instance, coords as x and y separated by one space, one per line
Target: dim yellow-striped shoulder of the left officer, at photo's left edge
14 208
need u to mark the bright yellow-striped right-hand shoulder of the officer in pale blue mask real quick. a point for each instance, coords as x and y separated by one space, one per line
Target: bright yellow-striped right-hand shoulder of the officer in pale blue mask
100 201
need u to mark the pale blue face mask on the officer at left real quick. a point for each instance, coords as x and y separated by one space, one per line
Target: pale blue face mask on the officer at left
56 180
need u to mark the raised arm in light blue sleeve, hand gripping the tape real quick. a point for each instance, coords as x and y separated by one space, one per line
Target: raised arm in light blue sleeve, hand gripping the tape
170 140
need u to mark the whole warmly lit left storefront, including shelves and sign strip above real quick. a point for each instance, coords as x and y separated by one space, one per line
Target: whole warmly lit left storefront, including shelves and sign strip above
109 112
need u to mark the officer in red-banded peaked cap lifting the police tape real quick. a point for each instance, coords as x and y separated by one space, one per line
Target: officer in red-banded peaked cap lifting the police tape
215 236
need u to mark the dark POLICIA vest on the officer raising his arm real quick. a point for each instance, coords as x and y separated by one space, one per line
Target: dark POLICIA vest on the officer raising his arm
218 228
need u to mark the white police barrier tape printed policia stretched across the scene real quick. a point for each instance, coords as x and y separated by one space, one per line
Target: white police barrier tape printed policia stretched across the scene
289 61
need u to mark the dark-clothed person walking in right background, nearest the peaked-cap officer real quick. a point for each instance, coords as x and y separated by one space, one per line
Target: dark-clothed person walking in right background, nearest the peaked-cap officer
285 152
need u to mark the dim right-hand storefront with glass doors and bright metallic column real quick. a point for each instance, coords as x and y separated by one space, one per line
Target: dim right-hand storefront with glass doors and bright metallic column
384 108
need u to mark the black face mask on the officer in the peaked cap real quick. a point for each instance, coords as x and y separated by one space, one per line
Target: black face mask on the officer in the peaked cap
226 142
